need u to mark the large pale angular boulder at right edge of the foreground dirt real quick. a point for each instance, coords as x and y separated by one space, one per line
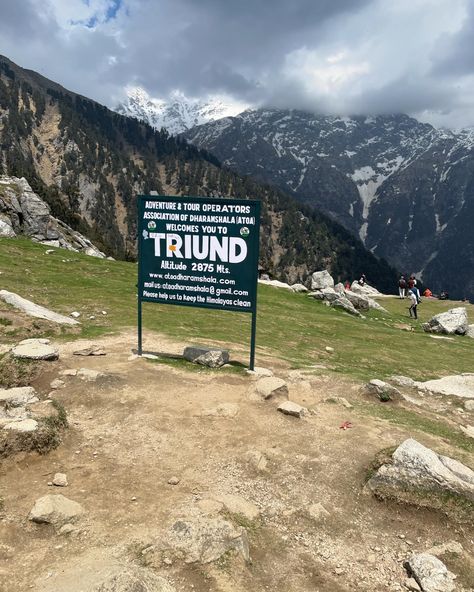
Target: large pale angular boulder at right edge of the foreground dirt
419 470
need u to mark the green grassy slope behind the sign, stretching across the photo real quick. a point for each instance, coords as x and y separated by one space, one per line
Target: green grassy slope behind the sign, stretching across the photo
290 326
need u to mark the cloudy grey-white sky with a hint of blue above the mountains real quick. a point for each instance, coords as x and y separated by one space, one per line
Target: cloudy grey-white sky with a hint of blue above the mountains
329 56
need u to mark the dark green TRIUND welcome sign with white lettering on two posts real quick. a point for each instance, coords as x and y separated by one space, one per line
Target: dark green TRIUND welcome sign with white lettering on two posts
201 252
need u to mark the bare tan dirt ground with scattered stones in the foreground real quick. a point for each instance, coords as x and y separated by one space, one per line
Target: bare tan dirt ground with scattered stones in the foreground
143 423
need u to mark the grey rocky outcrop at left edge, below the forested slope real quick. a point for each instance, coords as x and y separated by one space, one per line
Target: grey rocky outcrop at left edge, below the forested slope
22 212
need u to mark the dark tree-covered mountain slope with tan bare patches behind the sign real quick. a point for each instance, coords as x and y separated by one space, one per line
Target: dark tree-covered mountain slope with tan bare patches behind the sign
89 163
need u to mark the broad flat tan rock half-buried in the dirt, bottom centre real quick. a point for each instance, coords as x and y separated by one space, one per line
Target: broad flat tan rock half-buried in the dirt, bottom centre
205 539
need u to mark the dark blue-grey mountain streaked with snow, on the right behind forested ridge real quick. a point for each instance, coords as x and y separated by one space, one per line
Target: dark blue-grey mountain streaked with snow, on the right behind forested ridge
405 188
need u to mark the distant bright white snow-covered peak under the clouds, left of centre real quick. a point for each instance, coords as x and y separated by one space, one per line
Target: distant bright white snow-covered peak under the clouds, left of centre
177 114
